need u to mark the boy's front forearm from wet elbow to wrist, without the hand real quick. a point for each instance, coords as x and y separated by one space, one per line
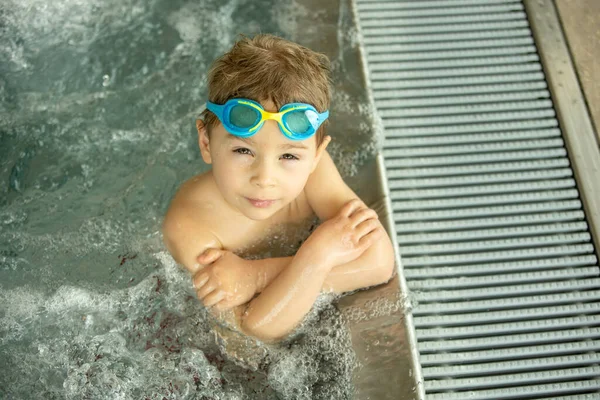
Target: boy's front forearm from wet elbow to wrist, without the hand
287 299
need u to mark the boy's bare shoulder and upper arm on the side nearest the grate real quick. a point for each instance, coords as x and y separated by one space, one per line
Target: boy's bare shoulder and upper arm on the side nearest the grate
325 190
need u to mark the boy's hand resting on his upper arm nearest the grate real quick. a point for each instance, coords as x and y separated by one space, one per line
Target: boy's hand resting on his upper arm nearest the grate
344 237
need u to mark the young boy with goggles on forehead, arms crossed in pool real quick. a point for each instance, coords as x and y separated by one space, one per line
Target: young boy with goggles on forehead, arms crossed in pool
269 170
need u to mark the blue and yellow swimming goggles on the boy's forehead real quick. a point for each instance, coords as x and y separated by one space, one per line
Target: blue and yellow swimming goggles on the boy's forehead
243 118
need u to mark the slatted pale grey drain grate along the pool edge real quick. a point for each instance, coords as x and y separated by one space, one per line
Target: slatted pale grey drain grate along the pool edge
493 239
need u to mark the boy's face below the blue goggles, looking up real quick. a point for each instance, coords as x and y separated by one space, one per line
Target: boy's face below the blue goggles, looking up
260 175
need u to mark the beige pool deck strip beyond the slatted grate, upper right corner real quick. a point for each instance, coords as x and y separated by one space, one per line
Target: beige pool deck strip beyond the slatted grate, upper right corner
567 50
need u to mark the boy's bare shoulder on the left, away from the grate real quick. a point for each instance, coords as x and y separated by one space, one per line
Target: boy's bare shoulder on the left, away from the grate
190 225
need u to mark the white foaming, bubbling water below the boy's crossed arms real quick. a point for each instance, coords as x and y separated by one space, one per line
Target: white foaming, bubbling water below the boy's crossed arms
154 340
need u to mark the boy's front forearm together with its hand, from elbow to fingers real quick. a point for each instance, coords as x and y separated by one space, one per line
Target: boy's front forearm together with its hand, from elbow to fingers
285 302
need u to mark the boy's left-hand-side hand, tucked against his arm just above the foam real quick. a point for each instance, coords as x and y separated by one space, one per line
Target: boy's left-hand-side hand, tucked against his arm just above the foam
226 281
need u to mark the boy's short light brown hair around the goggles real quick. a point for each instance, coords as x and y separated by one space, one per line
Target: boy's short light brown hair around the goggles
267 67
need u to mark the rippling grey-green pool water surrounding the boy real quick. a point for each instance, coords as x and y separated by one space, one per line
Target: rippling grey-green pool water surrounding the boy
97 104
